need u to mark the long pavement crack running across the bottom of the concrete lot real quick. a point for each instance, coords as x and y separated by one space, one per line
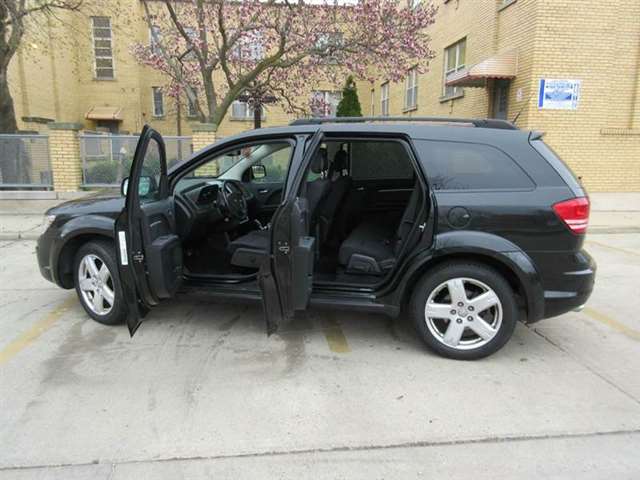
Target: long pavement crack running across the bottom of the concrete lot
346 448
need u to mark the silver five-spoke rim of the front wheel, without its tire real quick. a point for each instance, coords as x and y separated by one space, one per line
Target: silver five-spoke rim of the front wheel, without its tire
96 284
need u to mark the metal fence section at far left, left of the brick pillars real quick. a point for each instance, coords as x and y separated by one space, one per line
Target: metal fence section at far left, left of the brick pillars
25 162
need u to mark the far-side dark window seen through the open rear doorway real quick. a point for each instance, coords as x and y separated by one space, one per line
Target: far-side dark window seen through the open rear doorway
380 160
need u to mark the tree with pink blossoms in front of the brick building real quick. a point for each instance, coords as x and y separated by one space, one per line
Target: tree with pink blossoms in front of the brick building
216 51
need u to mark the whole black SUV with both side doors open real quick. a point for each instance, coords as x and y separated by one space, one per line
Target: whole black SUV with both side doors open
470 225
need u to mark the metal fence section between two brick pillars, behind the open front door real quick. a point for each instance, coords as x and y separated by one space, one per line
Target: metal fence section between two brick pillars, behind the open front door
106 159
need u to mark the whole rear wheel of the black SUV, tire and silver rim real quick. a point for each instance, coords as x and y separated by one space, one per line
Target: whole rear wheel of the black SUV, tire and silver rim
465 327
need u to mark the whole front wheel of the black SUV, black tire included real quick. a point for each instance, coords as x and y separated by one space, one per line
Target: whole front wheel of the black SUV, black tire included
100 295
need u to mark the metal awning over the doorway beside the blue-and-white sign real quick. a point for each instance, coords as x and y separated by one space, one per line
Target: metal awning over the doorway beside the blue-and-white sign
501 66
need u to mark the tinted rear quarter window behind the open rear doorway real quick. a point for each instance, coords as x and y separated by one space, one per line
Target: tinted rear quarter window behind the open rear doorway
470 166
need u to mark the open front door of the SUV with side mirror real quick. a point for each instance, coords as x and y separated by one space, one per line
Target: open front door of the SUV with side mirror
149 251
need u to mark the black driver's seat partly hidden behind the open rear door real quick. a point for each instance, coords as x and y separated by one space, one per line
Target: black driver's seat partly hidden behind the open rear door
249 249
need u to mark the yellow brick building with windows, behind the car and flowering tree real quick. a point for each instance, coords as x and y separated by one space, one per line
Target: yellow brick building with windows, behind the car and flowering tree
570 68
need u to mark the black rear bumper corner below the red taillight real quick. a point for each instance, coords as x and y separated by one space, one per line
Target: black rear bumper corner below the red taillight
570 289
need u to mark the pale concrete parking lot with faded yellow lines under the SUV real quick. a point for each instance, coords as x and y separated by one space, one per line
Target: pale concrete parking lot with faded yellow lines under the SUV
202 392
